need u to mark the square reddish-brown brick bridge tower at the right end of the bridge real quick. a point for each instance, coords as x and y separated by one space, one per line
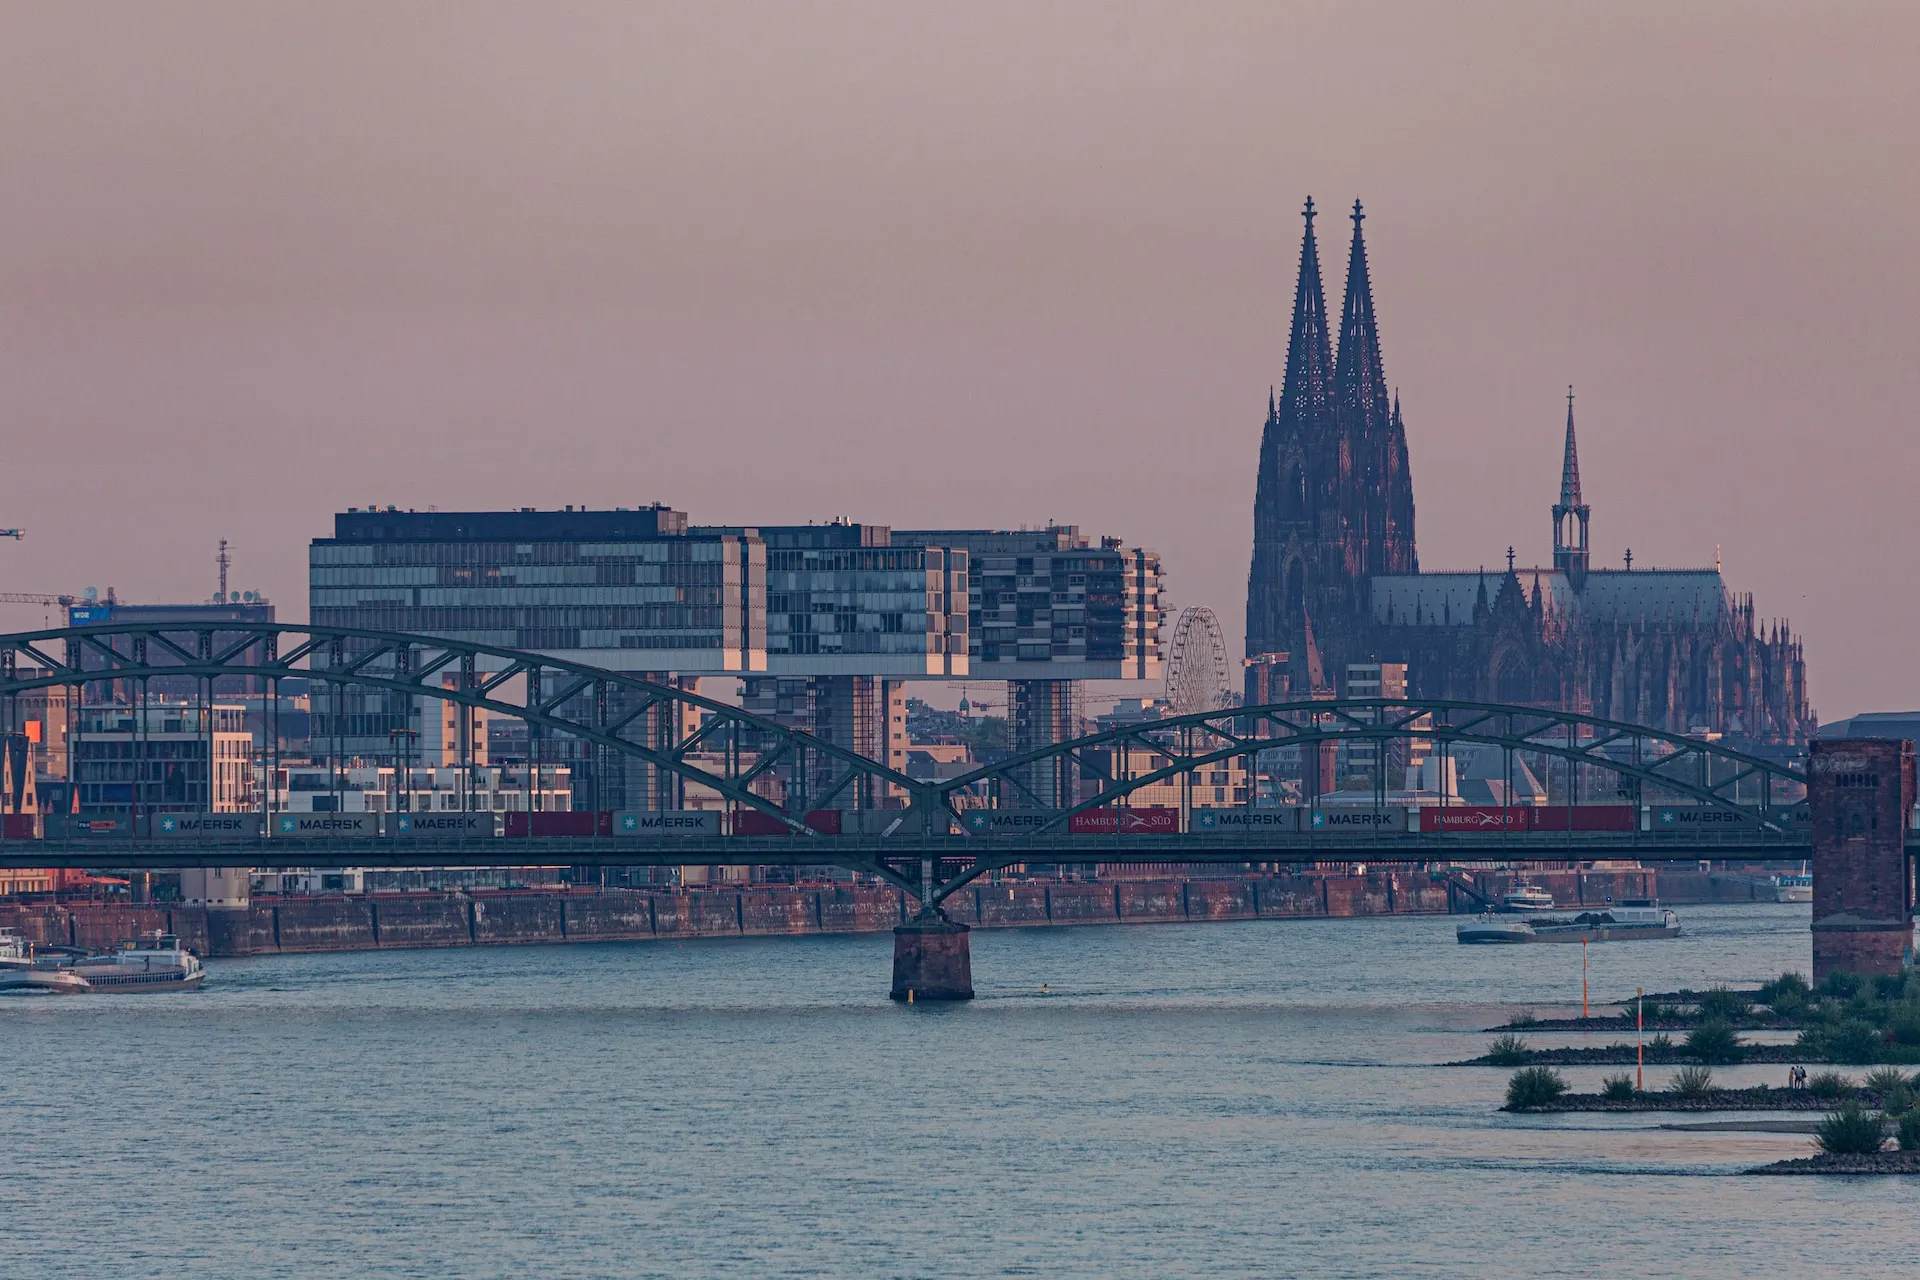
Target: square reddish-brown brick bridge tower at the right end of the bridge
1860 794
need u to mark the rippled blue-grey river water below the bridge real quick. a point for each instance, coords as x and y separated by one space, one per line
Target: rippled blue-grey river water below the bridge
1189 1101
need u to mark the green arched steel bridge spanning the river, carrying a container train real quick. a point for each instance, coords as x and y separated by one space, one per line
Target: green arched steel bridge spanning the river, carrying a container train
780 772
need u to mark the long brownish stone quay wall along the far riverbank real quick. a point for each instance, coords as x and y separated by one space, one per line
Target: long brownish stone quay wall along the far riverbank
373 922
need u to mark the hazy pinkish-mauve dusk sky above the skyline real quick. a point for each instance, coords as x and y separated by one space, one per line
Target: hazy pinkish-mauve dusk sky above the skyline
961 266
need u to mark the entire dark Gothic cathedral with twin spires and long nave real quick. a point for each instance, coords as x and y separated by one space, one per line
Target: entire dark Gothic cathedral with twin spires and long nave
1337 579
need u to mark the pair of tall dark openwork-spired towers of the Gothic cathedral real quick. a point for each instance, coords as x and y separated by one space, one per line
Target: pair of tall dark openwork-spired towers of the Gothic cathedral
1335 496
